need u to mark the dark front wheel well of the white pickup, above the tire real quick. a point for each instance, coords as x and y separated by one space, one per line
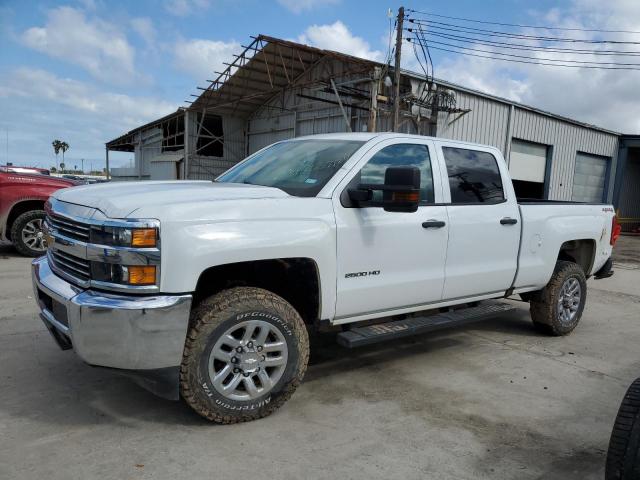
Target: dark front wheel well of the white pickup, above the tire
296 280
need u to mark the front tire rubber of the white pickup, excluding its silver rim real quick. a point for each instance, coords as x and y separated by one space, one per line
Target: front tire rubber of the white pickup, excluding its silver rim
208 321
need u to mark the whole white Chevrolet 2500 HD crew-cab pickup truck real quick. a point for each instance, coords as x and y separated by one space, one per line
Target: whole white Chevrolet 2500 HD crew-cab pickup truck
207 290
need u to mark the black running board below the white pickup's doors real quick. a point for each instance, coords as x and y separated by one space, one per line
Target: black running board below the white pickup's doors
359 336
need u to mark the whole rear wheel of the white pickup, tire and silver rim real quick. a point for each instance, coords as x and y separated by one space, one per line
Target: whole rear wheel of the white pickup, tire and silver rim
557 308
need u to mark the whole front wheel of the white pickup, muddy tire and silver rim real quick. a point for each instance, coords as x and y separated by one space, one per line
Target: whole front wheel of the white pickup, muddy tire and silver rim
246 352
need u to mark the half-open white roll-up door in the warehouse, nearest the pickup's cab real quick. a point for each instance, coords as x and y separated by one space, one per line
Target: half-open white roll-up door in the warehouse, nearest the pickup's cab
528 168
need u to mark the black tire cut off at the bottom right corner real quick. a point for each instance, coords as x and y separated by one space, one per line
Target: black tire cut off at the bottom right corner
623 459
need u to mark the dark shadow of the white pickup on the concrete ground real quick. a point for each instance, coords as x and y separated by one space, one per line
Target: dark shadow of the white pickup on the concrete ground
80 396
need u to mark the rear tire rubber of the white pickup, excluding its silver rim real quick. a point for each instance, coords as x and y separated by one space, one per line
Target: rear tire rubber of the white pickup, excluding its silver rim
544 304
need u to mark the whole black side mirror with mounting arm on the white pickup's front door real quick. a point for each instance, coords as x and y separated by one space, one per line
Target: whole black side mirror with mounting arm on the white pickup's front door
400 191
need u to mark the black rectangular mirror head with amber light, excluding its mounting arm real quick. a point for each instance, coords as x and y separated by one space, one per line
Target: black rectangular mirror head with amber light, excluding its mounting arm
401 189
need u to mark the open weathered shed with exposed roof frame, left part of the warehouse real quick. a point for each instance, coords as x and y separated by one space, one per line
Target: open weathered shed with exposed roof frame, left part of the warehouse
271 90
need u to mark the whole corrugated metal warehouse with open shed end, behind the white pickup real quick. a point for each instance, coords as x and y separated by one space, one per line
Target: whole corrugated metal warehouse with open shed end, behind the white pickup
276 89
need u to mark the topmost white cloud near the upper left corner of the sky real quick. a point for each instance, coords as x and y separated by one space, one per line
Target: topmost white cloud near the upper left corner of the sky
95 45
